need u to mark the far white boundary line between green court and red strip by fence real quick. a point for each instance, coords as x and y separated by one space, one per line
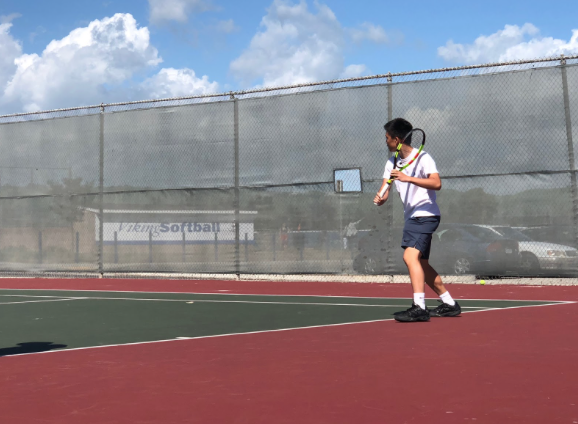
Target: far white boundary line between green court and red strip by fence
277 295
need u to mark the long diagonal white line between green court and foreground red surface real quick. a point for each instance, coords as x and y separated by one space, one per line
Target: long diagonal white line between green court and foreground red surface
255 332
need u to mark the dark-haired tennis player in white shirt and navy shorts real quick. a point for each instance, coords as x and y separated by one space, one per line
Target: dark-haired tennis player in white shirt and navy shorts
417 187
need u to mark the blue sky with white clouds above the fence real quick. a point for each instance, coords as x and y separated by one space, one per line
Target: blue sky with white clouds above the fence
78 52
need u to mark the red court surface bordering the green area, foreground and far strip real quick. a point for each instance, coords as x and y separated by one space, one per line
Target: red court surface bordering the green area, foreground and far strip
500 366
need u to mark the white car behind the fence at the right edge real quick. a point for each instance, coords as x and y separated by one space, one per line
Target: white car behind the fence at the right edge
536 255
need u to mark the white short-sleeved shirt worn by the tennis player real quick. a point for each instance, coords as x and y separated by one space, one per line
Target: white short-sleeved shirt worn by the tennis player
417 201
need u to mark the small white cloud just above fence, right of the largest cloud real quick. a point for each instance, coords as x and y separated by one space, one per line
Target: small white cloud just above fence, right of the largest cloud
170 82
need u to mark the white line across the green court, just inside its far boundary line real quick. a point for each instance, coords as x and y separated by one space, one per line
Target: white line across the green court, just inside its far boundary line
219 301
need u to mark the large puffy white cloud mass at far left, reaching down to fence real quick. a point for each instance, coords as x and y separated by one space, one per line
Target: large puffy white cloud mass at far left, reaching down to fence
91 65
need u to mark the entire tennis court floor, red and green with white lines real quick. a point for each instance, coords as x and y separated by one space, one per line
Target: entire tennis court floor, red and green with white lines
162 351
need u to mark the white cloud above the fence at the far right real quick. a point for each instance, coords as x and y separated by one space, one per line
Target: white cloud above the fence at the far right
511 43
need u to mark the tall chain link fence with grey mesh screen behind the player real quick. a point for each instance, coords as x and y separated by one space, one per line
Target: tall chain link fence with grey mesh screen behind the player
281 180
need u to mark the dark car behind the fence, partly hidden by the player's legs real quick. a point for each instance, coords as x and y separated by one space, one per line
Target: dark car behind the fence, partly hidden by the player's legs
456 249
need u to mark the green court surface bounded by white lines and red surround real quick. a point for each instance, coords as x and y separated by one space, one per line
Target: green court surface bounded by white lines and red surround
39 320
